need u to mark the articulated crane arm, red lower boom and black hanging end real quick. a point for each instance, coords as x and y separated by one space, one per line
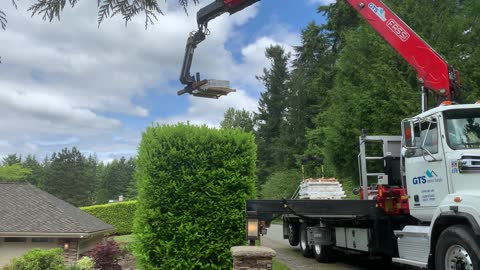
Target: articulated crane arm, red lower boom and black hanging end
434 73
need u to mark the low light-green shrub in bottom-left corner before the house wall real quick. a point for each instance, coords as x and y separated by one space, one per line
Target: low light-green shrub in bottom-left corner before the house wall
38 259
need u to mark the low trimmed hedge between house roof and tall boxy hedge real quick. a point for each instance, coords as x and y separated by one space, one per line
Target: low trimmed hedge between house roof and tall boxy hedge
120 215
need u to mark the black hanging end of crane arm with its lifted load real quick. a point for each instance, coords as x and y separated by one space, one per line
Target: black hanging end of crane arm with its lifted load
194 85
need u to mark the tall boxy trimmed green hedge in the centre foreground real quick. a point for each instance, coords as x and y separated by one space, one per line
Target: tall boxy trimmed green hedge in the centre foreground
193 182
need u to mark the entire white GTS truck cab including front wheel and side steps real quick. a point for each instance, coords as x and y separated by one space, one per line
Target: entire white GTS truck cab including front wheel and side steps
441 173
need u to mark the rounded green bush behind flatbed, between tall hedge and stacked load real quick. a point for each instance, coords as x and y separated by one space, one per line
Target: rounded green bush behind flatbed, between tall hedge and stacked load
281 184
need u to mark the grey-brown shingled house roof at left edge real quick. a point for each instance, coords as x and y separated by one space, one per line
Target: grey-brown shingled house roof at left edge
27 210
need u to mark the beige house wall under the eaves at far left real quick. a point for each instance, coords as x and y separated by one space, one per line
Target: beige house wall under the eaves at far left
8 251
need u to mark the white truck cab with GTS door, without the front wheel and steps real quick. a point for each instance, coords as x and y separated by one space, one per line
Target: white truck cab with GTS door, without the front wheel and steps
442 157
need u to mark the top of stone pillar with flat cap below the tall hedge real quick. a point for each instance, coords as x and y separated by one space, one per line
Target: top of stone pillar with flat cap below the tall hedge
252 258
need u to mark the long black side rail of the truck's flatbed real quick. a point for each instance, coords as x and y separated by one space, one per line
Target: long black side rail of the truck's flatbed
265 210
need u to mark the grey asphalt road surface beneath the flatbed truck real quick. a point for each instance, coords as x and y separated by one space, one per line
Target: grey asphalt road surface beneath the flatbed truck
293 258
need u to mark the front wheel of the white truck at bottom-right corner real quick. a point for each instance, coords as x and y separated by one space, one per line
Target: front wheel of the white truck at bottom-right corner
457 248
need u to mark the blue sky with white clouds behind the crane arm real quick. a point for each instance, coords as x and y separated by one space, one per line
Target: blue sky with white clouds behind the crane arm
73 84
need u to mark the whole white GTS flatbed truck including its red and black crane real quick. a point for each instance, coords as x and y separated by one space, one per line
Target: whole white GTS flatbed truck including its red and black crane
425 209
